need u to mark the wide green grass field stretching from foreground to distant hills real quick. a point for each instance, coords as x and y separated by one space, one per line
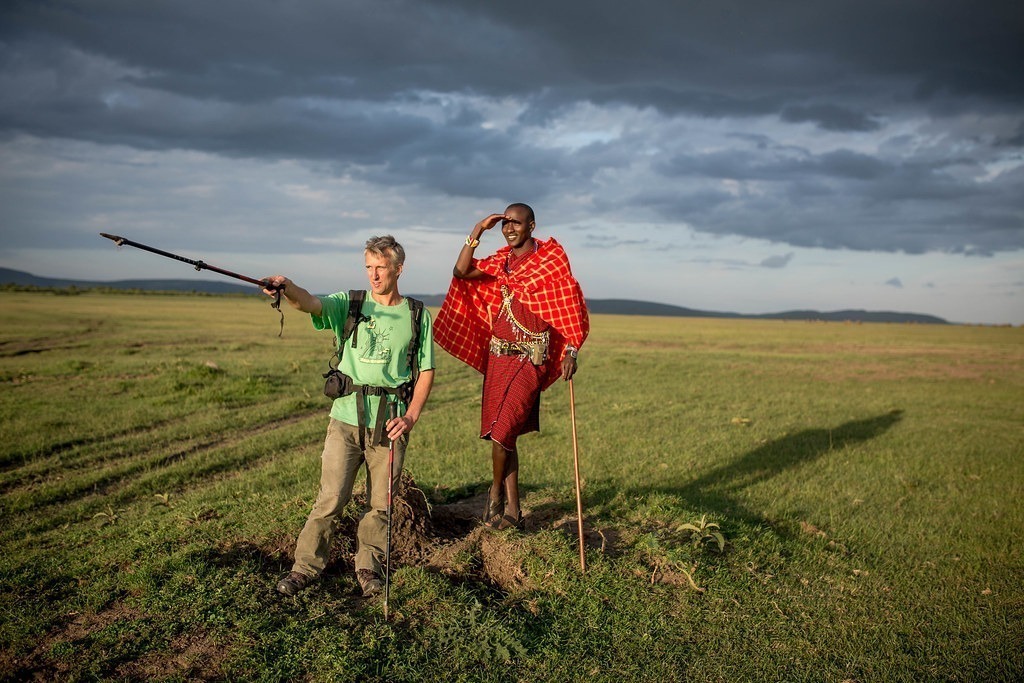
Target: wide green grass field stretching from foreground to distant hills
161 453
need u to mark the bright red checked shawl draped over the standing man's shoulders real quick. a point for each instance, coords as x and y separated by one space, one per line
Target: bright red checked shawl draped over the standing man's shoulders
544 283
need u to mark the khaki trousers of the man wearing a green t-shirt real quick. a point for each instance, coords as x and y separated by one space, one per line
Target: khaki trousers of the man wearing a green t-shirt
339 464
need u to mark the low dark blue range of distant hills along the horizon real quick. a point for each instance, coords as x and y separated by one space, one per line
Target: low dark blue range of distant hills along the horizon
610 307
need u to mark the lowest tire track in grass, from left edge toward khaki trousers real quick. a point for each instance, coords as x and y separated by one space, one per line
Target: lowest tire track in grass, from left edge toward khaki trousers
139 480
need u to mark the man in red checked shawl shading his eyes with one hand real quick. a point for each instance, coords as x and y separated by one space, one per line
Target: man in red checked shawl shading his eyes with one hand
520 318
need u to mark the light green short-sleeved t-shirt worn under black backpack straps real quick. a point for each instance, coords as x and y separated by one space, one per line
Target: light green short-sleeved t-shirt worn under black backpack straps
379 358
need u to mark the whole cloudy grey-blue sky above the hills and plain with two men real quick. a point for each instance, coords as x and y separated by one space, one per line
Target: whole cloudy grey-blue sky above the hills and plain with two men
749 156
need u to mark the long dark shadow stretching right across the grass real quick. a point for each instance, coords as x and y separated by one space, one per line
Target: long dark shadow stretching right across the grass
719 490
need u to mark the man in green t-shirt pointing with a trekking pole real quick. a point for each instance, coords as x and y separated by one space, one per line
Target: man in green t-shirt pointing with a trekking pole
378 366
